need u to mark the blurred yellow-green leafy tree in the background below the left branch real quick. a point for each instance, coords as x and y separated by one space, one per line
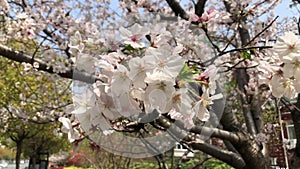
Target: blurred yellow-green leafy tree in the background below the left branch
31 102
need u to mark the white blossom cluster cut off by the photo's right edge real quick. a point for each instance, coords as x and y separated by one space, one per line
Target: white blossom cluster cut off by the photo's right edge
286 78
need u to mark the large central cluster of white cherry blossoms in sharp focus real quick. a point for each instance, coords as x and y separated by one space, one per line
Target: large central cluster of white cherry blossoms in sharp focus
149 73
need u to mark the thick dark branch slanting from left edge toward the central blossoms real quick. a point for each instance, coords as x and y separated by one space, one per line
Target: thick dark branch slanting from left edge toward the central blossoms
21 57
